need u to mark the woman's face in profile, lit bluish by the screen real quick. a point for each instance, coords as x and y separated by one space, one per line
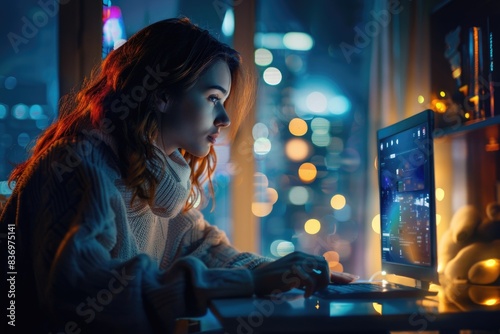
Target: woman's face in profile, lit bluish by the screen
194 123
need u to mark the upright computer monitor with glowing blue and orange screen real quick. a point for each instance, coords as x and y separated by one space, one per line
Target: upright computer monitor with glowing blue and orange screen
407 198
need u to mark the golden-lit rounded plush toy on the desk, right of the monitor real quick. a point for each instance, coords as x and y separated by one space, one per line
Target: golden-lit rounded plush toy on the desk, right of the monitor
469 254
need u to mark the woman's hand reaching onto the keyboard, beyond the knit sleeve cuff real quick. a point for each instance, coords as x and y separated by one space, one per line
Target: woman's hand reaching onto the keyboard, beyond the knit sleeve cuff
295 270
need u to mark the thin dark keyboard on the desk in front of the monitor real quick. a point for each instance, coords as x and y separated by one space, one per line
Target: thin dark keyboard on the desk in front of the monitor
372 290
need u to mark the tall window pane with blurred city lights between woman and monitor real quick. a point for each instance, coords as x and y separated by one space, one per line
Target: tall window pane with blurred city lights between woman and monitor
310 137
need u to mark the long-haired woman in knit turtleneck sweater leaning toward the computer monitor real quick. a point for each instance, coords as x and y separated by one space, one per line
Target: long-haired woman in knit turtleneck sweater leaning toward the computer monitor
108 237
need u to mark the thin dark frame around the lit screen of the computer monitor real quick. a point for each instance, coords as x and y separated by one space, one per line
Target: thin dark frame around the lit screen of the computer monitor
420 273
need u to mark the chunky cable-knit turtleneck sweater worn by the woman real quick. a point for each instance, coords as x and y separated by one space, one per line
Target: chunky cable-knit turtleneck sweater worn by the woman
88 260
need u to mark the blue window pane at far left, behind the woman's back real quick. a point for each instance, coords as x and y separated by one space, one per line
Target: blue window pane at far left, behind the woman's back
29 87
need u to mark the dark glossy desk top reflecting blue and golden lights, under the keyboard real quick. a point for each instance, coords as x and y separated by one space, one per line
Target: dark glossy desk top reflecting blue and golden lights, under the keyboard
291 313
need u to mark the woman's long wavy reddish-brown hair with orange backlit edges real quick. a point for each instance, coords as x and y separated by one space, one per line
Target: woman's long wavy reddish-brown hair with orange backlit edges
163 60
